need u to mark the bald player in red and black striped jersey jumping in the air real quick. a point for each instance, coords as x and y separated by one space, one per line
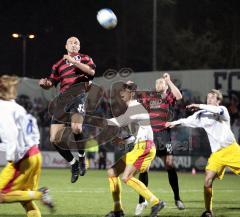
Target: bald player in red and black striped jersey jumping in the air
74 72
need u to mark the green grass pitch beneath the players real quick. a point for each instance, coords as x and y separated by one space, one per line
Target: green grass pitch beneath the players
90 196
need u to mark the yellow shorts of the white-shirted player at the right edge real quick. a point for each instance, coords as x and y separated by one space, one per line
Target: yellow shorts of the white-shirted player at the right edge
226 157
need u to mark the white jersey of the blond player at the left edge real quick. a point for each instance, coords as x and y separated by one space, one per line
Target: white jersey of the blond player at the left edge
18 131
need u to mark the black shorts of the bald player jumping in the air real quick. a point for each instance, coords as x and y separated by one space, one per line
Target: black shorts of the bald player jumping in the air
70 102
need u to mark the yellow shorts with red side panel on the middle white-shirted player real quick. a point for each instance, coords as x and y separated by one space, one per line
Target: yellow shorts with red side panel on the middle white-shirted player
141 156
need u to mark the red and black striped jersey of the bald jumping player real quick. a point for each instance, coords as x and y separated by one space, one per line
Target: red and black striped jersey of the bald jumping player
68 74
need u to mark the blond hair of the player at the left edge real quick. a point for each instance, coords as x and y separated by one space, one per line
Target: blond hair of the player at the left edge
8 87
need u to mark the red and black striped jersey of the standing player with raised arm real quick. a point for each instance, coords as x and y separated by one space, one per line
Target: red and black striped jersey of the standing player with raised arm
160 108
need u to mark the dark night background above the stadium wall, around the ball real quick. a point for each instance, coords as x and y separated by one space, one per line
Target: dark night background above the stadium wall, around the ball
191 34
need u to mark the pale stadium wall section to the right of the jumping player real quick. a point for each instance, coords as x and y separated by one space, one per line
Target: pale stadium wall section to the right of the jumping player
198 82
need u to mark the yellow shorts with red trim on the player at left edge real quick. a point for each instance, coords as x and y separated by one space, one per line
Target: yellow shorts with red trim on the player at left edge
23 175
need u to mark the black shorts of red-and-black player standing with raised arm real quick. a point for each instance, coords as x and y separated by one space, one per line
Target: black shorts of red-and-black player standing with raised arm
162 140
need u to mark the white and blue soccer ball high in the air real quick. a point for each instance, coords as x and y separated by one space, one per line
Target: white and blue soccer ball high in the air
106 18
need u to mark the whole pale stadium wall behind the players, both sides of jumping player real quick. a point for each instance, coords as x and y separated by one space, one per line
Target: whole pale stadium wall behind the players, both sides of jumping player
198 82
